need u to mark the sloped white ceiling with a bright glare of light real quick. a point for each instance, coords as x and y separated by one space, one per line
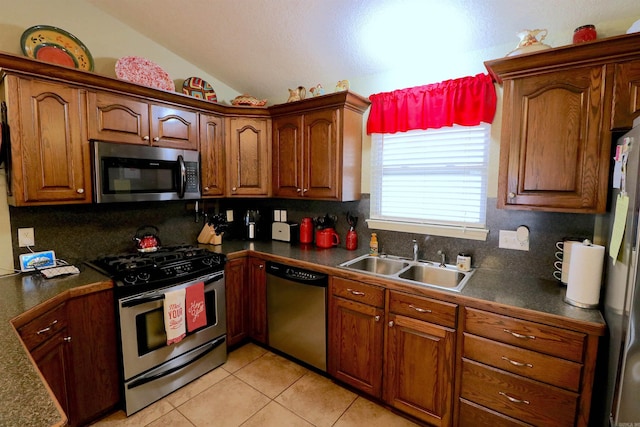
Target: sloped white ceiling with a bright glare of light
255 46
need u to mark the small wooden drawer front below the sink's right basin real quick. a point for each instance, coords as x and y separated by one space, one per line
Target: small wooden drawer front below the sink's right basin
427 309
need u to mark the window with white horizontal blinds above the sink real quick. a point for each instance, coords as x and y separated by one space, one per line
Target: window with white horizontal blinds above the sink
431 177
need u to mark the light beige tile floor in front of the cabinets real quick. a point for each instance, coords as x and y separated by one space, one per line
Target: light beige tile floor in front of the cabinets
257 388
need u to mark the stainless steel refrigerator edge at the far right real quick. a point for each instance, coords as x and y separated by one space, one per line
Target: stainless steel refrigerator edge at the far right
622 301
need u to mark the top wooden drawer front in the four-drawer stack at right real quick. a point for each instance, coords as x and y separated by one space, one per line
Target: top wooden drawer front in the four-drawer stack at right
534 336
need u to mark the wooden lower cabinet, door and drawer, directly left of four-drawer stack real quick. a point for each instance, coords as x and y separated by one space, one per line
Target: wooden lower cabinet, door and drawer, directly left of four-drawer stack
420 357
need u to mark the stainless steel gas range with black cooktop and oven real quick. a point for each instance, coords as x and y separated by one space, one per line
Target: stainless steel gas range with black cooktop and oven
151 368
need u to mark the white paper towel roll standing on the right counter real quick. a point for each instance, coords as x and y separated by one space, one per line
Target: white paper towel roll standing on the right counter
585 275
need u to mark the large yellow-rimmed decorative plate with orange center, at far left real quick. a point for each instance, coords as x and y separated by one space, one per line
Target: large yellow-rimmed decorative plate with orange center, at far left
57 46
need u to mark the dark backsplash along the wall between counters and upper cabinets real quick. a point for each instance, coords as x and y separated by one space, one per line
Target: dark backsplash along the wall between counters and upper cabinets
84 232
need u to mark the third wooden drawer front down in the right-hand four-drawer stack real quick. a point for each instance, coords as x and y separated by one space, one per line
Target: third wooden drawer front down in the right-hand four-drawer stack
520 398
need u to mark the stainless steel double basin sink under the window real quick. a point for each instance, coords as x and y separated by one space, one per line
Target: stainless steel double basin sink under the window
422 273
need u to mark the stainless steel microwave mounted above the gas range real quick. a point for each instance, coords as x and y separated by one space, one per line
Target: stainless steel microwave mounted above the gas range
132 173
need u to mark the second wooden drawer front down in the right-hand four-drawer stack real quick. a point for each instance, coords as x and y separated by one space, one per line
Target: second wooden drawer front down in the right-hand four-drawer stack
531 364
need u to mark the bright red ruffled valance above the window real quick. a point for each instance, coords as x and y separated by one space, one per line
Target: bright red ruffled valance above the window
465 101
